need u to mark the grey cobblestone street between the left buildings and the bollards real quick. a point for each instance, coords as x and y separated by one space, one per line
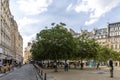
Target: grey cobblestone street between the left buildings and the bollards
26 72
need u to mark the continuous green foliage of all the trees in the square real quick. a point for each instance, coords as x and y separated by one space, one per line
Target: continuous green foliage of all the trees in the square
57 43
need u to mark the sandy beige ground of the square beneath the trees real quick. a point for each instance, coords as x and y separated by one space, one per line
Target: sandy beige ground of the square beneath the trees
102 74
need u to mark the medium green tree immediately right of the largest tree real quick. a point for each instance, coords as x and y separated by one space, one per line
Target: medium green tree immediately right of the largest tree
86 48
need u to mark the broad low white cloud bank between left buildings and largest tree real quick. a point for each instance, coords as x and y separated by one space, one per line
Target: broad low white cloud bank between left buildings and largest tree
27 30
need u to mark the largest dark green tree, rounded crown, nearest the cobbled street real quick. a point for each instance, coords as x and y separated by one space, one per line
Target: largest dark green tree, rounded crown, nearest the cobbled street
54 44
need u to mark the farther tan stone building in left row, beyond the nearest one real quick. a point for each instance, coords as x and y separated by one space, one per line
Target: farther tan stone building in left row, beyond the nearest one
17 42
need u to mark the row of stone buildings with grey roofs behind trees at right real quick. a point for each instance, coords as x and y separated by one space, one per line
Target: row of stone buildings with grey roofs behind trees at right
109 36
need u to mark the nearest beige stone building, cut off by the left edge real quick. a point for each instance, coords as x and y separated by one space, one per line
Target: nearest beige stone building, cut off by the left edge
5 29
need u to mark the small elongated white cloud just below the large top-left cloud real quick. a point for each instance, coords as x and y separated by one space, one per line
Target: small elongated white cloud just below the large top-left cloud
27 21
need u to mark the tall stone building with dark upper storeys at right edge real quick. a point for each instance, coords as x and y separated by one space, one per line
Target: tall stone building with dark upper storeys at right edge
114 36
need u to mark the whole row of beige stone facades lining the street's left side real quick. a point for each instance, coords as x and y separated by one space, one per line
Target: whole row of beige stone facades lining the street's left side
11 41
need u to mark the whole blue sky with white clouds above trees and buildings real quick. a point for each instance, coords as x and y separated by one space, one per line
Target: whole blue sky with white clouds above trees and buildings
32 16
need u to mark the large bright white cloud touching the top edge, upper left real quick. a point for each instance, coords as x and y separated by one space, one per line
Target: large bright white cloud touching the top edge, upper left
33 7
